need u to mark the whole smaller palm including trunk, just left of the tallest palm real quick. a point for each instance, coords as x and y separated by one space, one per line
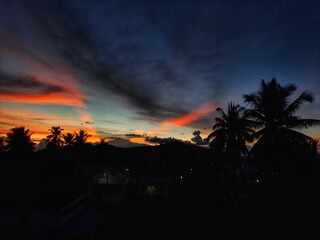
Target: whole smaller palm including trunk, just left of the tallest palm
231 132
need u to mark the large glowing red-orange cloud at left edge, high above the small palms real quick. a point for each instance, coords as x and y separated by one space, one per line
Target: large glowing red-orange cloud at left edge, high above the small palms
54 75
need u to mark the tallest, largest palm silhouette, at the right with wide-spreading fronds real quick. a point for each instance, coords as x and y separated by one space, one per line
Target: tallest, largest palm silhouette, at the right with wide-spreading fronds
273 114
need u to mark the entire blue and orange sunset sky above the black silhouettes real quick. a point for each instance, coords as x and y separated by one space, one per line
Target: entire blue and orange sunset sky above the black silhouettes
149 71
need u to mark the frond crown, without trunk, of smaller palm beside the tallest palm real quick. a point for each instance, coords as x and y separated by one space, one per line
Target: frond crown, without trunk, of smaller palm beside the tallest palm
231 131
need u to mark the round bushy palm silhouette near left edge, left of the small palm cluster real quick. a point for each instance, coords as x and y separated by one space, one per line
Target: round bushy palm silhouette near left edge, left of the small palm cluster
18 140
